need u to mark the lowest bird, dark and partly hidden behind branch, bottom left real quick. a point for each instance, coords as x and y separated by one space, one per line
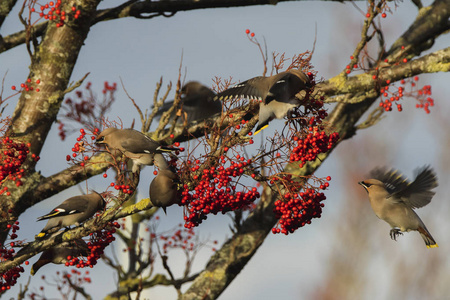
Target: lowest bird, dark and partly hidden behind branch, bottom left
60 253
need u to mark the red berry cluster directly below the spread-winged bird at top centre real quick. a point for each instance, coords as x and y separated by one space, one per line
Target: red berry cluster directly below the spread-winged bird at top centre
312 145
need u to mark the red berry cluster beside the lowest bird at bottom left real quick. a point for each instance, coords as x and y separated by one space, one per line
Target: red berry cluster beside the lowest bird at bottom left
99 241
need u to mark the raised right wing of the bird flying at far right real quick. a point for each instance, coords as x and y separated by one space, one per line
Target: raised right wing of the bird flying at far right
418 193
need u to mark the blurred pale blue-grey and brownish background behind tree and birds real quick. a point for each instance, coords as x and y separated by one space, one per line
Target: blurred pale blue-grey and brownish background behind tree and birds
346 254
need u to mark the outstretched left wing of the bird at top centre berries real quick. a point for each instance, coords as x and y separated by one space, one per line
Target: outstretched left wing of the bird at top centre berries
253 89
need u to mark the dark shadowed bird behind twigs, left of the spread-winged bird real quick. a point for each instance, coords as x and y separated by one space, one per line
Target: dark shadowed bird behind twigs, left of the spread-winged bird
197 103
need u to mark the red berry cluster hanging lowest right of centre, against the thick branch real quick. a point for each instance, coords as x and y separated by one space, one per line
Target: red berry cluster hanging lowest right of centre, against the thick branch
297 209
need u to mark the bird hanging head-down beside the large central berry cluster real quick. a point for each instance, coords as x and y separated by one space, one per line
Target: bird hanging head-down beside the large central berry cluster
164 187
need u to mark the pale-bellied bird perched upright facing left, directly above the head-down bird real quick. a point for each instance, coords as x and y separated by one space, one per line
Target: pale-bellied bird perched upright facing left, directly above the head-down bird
133 144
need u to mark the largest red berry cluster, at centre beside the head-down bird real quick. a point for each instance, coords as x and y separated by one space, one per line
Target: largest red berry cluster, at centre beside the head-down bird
215 191
